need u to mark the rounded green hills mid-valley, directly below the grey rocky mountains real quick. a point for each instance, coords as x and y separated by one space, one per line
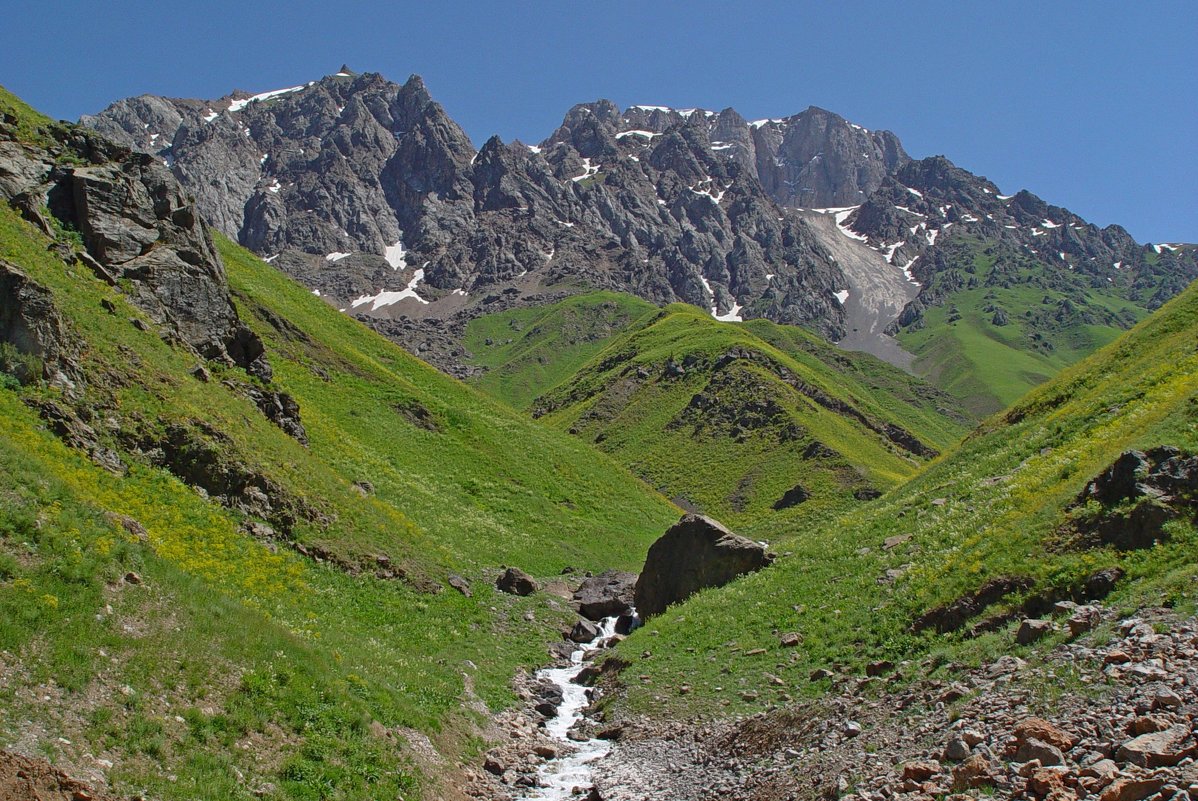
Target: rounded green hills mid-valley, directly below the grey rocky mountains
754 424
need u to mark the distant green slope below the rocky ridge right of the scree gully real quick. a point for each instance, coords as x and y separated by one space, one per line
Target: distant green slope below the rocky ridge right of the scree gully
1050 325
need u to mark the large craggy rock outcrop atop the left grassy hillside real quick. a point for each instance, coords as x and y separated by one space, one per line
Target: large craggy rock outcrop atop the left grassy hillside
137 224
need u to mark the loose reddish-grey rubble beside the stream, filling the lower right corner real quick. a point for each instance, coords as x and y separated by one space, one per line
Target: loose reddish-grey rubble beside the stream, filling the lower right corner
1110 715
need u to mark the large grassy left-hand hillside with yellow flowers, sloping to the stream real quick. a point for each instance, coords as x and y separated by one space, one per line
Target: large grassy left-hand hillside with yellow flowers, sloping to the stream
198 603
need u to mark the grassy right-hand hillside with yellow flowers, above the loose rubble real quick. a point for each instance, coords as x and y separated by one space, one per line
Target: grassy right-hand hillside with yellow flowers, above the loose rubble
941 569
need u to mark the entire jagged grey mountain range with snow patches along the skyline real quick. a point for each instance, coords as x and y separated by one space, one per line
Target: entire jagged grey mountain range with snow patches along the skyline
372 196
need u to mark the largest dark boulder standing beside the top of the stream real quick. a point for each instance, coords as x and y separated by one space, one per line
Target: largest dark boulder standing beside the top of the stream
694 555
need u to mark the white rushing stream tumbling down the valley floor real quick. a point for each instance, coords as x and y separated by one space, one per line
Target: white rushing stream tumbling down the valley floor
559 778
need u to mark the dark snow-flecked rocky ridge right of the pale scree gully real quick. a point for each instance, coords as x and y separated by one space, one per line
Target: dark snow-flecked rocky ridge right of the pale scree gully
928 216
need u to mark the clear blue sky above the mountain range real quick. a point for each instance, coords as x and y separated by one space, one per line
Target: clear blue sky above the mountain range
1093 106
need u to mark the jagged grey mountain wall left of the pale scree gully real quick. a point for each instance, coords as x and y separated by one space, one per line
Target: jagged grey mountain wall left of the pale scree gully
665 204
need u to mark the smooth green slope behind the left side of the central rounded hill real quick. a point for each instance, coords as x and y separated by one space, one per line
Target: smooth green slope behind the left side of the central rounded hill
529 351
